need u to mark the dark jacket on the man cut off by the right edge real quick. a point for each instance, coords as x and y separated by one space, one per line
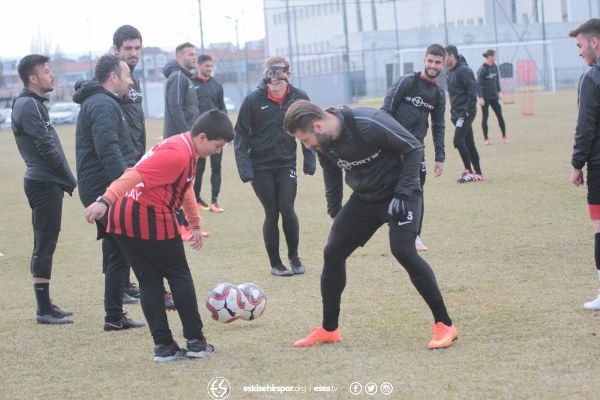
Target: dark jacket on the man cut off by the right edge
587 134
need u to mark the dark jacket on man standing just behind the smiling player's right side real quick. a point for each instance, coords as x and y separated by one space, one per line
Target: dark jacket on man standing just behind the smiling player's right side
462 89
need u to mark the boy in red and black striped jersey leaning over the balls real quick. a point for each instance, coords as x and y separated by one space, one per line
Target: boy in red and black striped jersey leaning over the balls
141 208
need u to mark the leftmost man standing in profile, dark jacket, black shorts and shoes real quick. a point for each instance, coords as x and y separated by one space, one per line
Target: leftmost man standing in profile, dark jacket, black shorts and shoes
47 177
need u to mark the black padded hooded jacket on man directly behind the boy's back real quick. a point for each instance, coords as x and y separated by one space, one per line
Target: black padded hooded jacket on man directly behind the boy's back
102 143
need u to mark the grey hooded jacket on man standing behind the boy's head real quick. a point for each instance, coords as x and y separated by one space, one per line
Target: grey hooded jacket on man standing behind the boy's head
181 103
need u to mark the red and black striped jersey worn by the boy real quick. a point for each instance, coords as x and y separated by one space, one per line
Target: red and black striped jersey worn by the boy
148 210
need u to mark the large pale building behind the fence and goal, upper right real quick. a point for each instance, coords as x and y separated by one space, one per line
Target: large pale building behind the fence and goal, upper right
343 50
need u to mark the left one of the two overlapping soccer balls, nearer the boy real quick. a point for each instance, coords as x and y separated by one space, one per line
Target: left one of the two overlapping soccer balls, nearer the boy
225 302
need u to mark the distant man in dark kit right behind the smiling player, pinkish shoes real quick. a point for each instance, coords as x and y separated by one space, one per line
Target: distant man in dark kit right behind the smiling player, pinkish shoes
462 88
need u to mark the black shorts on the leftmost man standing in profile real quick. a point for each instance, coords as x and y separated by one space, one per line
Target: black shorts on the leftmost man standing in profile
45 200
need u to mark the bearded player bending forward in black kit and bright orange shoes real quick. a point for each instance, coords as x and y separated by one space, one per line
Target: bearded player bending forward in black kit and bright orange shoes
381 161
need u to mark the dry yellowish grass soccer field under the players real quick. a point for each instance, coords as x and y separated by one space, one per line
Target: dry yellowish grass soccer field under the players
513 256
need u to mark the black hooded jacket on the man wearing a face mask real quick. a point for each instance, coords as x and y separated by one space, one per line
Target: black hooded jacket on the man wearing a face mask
260 140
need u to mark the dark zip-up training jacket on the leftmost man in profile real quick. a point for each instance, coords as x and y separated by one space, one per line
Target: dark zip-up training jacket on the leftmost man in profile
39 143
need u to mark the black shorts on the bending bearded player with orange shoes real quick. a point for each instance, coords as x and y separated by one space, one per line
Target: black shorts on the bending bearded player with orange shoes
359 219
